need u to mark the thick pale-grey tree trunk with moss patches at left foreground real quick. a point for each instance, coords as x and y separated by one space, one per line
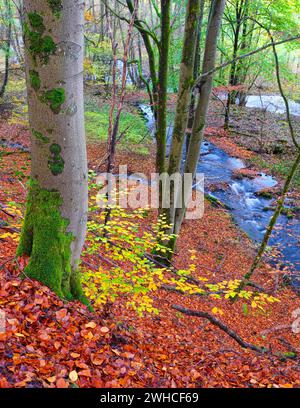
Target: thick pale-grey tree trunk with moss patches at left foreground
56 214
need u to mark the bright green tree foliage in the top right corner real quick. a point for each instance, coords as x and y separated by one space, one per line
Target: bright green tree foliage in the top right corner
280 17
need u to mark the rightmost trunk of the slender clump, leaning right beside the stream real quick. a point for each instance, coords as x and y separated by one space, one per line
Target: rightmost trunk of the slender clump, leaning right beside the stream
214 25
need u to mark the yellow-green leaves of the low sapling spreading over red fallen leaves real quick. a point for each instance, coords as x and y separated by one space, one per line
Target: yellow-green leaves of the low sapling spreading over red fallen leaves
132 273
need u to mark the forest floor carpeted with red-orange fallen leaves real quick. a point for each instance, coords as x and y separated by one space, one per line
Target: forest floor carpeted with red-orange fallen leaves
49 343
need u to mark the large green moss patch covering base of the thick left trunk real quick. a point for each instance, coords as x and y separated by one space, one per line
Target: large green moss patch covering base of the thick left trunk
45 239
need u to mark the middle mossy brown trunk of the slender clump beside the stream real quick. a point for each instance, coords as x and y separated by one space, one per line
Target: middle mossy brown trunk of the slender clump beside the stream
184 96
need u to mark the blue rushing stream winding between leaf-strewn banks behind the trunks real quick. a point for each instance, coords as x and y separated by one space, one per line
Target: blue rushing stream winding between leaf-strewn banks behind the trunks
249 211
